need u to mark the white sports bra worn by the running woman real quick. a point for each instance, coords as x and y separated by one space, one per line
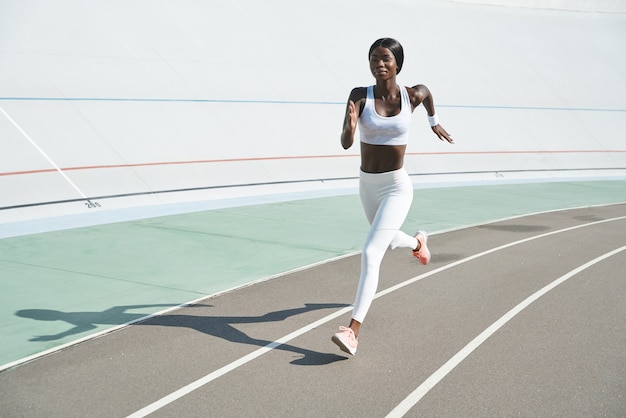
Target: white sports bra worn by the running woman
379 130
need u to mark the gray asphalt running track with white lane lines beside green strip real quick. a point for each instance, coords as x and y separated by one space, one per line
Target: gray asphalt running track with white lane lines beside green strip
265 350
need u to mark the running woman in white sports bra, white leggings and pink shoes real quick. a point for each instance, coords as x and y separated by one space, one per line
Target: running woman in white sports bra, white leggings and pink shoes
383 113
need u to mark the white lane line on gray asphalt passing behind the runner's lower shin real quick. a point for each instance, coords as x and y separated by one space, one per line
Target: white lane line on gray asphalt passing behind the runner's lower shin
255 354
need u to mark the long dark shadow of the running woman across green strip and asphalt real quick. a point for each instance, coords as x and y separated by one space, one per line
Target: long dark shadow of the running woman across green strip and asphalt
217 326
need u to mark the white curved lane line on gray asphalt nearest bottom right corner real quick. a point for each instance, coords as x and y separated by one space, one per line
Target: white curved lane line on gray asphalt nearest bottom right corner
411 400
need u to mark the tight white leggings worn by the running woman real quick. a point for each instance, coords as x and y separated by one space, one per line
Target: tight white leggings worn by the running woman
386 199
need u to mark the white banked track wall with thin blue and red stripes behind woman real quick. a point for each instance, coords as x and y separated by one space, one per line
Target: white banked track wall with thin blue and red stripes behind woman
131 99
